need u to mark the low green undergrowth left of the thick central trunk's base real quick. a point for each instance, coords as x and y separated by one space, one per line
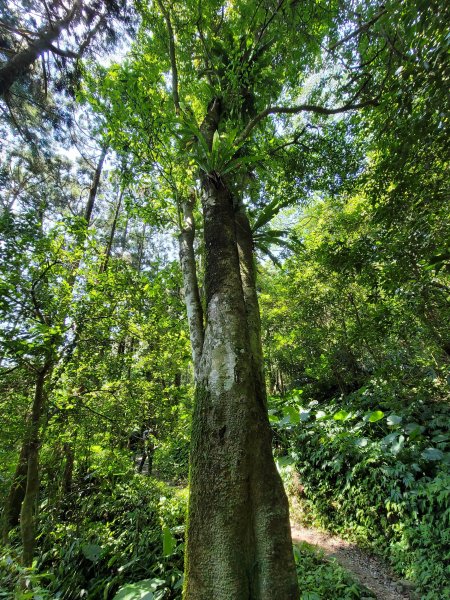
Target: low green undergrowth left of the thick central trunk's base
111 536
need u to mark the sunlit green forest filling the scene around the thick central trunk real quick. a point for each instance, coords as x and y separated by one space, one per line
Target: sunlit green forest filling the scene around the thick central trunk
349 212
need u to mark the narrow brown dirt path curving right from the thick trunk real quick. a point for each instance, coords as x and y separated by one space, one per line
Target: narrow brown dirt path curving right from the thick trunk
365 568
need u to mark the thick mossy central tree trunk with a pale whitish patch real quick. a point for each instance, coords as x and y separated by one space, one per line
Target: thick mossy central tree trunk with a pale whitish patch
238 543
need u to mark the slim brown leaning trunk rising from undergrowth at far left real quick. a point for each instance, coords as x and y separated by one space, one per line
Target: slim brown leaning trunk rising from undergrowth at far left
27 513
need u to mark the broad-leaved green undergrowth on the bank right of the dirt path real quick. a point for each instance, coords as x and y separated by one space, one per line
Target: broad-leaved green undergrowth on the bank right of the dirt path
375 475
